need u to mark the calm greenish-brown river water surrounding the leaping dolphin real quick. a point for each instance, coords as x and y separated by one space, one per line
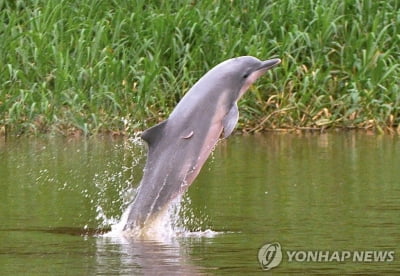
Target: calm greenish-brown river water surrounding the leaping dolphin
336 195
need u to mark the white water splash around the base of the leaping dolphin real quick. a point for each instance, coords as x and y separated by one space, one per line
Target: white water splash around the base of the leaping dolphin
179 220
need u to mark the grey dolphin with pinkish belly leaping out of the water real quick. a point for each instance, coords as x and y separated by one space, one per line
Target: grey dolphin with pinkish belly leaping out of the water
179 146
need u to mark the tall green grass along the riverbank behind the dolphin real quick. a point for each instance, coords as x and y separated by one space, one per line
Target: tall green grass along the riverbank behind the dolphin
94 66
